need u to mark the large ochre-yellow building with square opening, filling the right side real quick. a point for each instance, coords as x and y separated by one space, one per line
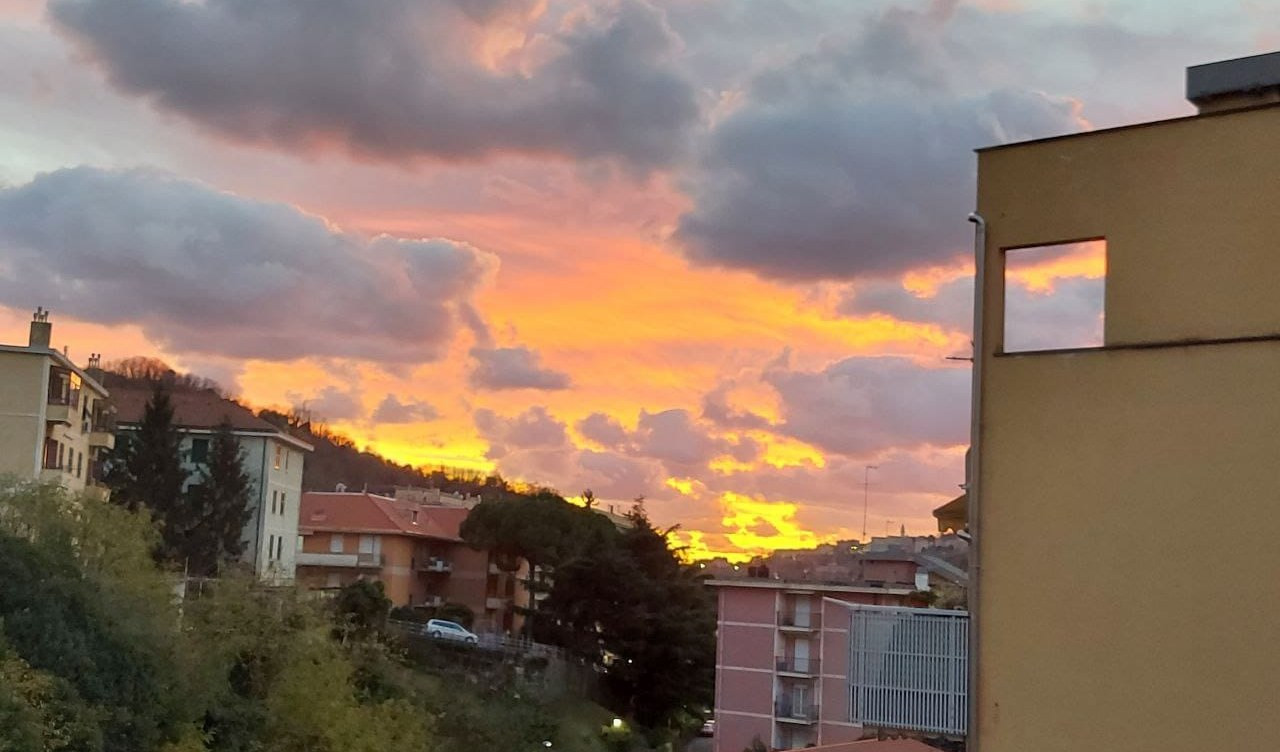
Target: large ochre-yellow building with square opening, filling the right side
1126 496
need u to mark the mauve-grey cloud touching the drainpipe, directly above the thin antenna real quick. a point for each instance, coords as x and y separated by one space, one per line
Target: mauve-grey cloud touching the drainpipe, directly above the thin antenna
862 406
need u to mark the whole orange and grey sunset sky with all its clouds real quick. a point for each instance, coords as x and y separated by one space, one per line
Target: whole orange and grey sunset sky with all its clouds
712 253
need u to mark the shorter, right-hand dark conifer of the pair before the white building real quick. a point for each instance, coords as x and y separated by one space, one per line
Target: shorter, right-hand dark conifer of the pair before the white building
217 510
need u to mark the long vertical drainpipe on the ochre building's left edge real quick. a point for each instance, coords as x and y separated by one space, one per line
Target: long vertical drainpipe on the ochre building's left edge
972 490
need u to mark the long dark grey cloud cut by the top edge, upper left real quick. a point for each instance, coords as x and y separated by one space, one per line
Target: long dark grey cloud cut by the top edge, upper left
399 80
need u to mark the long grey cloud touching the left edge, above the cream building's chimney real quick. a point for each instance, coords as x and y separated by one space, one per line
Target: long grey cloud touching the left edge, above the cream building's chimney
211 273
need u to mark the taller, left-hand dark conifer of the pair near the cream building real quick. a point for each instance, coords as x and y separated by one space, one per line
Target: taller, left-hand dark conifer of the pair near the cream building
145 470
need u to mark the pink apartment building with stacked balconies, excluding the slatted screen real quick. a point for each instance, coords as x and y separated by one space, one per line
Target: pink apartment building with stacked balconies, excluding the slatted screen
783 662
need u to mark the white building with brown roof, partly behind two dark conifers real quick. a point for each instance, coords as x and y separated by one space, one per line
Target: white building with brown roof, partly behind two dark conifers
273 461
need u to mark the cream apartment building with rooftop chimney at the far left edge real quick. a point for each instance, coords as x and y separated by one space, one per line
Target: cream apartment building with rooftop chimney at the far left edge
54 419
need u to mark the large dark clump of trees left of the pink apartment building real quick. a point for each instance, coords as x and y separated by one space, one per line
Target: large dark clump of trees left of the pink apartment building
623 600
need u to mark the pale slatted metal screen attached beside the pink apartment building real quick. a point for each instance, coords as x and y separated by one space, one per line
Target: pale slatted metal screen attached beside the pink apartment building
909 670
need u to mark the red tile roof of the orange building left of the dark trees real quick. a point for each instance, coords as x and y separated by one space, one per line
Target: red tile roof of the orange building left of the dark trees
368 513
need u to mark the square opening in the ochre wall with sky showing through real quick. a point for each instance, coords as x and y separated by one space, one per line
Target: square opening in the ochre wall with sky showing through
1054 296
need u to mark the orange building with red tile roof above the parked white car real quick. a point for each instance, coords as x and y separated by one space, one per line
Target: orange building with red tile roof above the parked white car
414 549
